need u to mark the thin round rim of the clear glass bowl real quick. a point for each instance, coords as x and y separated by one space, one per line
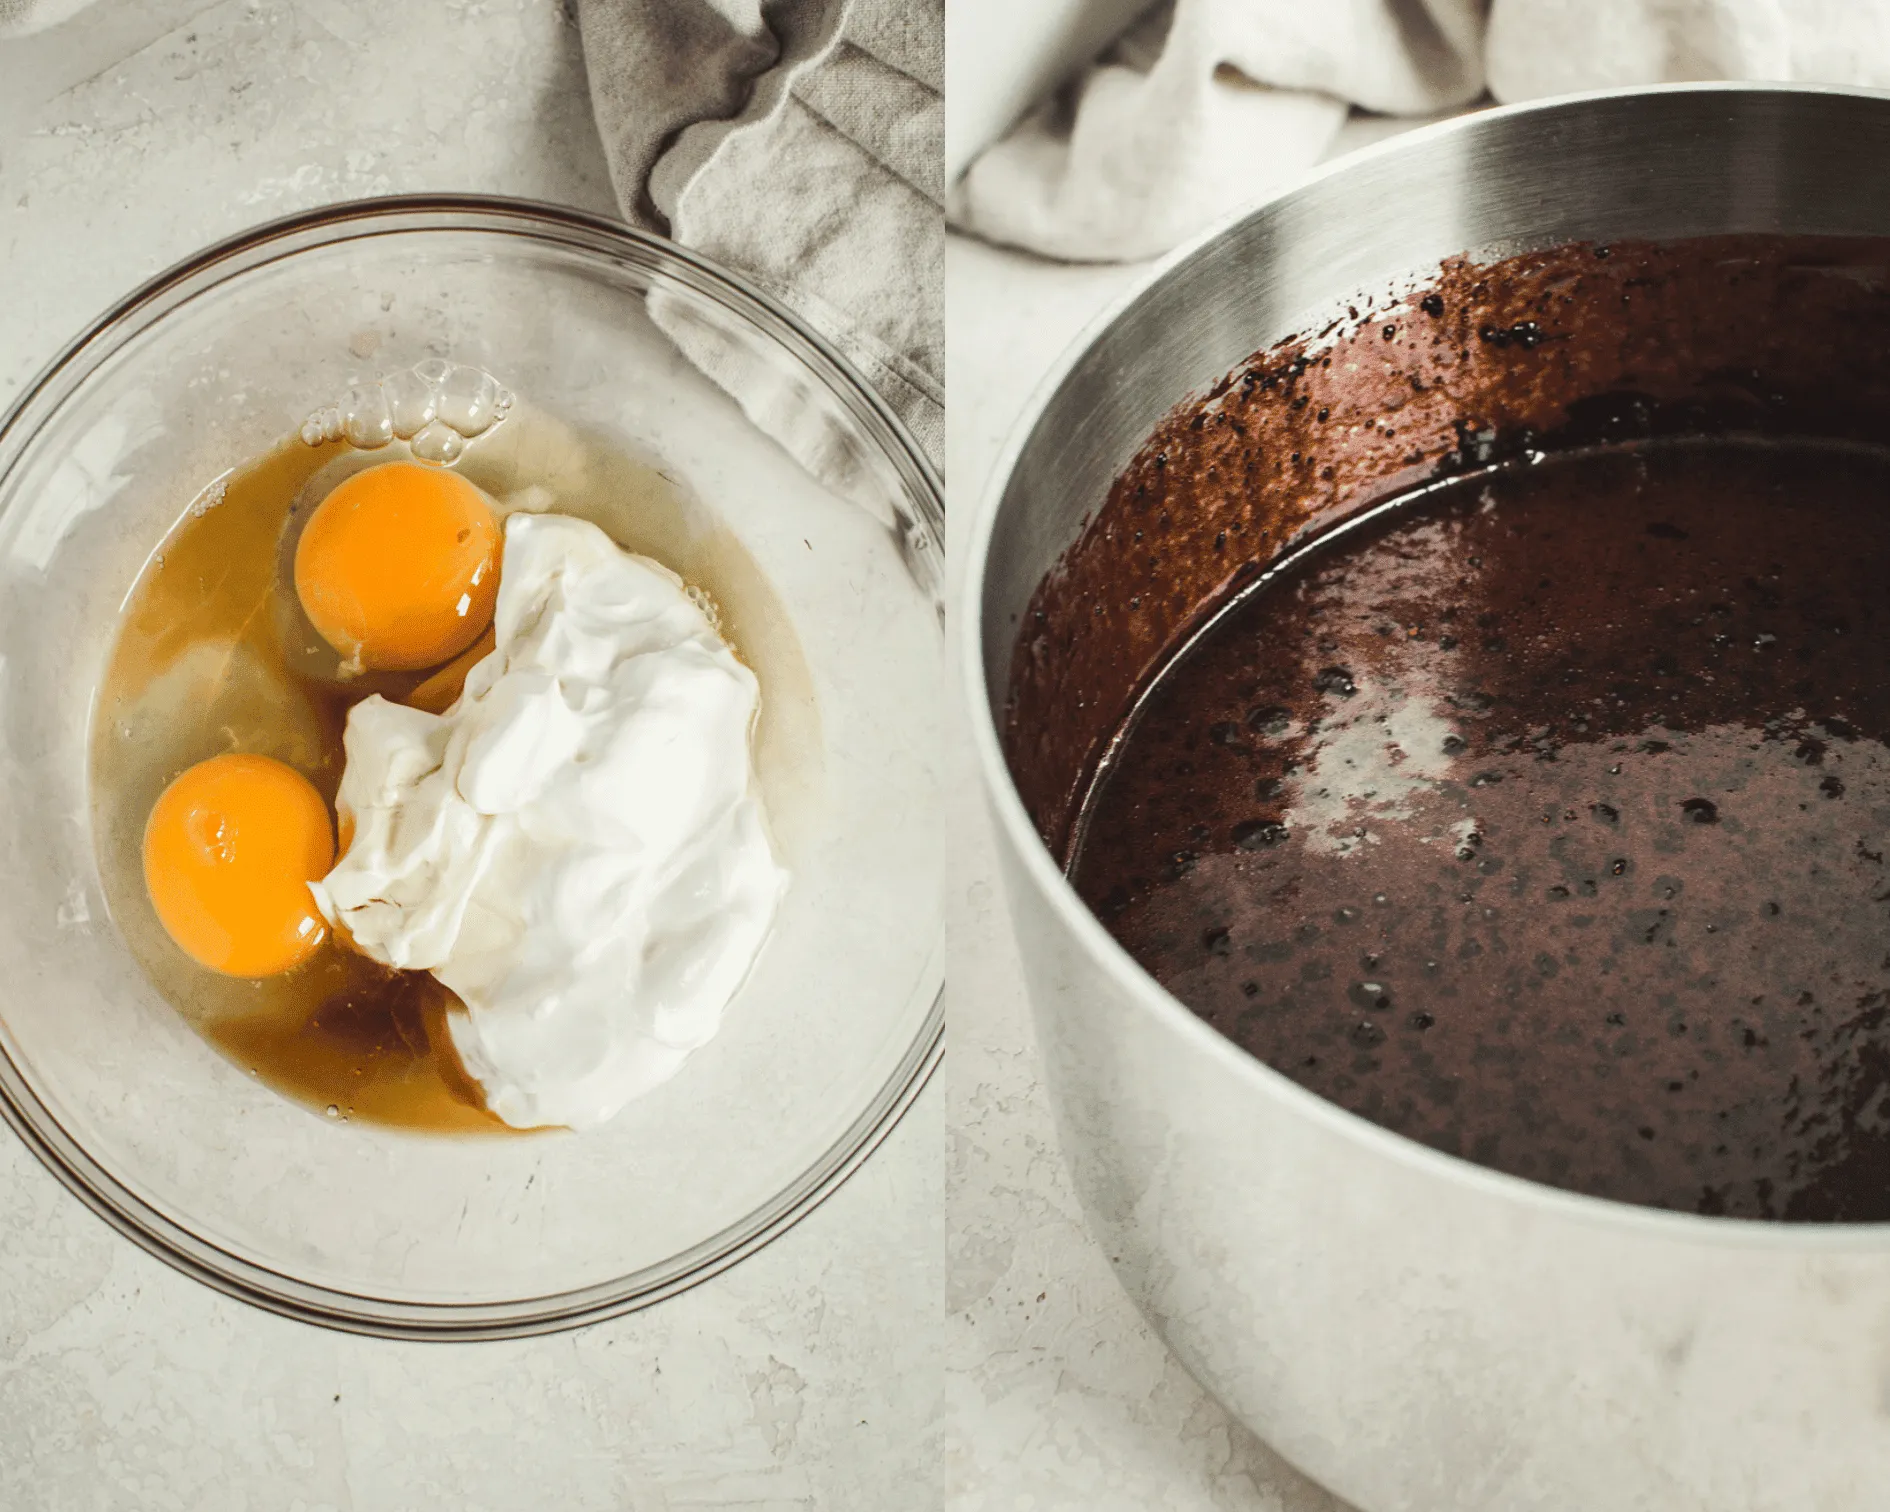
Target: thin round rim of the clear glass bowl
659 260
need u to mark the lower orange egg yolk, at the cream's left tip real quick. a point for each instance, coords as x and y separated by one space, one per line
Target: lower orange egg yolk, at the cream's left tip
230 853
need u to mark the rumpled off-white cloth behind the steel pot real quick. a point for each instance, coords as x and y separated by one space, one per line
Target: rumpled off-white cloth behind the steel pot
1207 107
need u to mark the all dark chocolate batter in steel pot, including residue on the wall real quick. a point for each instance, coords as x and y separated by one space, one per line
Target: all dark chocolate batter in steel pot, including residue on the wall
1539 814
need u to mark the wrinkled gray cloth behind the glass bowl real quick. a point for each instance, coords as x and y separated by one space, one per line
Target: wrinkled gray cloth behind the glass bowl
802 145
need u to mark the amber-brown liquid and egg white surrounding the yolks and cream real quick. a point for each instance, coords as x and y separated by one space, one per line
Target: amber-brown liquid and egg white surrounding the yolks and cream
215 655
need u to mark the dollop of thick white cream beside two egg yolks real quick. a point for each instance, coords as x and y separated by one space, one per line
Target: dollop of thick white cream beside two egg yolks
576 848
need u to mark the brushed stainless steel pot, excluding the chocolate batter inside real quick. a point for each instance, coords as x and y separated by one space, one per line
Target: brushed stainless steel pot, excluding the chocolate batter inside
1411 1330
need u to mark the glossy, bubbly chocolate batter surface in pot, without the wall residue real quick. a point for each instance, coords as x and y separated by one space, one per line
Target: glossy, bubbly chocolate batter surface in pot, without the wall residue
1545 819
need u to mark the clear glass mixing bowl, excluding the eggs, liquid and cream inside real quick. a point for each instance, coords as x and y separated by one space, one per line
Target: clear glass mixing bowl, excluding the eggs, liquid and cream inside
369 1228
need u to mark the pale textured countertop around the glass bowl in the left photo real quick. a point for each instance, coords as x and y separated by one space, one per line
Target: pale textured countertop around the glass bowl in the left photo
797 1381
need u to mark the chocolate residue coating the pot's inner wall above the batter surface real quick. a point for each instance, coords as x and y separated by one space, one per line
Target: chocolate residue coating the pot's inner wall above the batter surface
1486 362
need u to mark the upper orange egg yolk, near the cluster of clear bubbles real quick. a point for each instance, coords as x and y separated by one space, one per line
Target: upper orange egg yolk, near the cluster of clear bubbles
400 568
